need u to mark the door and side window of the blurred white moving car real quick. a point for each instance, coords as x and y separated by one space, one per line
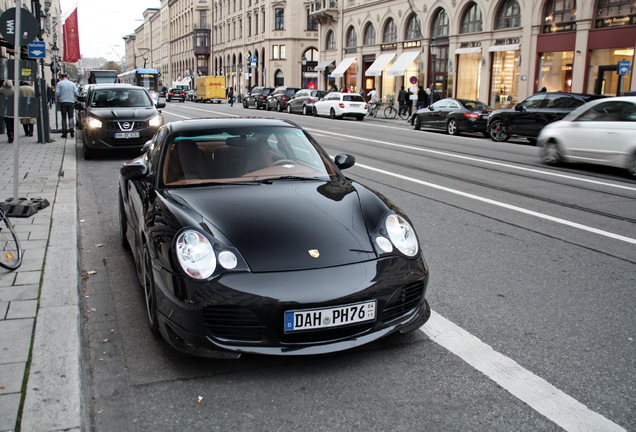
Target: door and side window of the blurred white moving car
605 133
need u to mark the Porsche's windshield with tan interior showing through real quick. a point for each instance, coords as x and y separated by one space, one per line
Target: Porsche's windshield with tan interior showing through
239 155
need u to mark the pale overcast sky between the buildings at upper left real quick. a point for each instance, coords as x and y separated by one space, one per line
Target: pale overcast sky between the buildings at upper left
103 23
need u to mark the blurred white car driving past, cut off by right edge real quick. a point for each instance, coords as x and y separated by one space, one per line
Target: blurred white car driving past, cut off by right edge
600 132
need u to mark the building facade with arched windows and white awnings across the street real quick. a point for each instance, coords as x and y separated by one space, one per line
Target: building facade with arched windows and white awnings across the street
497 51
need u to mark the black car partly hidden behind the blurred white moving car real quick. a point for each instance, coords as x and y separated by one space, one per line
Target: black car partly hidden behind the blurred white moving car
527 118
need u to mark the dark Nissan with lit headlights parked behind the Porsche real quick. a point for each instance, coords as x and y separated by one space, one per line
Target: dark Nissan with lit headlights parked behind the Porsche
118 116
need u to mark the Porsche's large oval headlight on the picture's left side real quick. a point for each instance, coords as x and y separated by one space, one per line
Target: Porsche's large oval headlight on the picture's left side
195 254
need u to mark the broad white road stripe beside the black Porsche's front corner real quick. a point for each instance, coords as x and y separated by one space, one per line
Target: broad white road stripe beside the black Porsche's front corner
540 395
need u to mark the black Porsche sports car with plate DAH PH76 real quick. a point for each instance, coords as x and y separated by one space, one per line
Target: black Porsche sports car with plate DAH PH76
247 238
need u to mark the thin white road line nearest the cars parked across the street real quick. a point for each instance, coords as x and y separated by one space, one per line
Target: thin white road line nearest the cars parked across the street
483 161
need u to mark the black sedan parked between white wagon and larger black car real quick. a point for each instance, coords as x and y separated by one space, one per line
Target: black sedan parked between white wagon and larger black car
454 116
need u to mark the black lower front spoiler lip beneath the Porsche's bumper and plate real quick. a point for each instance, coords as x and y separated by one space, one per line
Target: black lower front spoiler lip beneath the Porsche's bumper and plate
197 345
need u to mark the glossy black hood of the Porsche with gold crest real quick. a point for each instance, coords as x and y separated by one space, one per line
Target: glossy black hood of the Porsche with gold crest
286 225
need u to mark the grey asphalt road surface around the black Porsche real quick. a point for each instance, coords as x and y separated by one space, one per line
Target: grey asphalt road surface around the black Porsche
532 286
